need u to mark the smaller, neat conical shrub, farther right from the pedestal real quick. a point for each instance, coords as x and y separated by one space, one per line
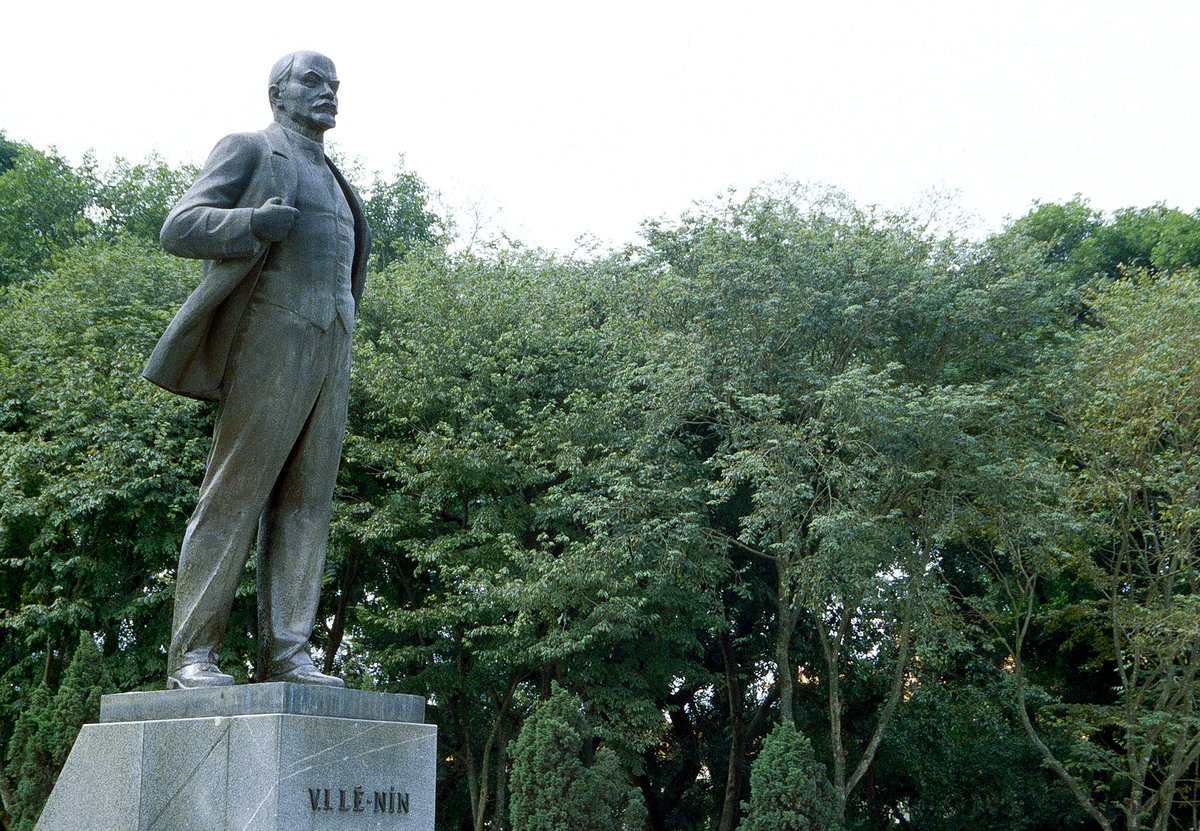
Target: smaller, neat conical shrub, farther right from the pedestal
790 790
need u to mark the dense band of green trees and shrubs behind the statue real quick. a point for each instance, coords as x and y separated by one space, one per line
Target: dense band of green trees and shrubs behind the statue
795 504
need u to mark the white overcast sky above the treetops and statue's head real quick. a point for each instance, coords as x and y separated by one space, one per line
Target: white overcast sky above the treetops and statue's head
565 119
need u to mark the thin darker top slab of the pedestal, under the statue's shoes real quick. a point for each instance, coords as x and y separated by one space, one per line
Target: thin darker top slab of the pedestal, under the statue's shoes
283 698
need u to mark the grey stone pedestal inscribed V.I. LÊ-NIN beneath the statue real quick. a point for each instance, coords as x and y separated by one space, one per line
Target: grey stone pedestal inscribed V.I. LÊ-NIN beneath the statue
269 757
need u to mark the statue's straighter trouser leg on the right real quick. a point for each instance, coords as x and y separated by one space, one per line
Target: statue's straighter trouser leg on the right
295 530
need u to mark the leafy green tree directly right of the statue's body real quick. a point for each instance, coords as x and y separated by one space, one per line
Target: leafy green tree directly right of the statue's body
491 503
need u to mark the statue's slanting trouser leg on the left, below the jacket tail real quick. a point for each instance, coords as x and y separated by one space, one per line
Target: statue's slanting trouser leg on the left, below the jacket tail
267 400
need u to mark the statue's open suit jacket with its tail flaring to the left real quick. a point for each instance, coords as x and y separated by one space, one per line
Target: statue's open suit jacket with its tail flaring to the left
212 223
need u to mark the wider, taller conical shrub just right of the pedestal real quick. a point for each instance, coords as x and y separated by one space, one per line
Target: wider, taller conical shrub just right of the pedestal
556 787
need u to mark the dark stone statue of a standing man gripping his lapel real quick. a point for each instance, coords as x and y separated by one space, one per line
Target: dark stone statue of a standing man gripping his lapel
267 334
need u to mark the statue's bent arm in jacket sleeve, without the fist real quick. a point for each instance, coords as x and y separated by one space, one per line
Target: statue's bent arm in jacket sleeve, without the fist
211 222
